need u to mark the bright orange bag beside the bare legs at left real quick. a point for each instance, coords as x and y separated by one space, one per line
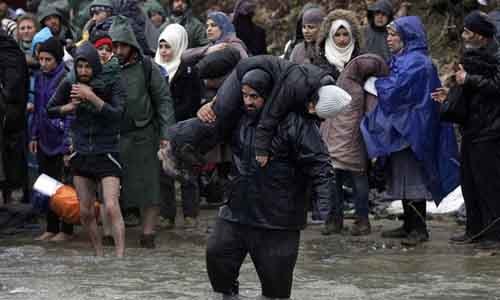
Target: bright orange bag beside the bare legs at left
64 203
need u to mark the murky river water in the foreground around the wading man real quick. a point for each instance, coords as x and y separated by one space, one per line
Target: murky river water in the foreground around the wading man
328 268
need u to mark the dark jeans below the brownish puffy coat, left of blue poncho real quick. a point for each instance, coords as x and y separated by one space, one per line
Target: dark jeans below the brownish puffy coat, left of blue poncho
359 181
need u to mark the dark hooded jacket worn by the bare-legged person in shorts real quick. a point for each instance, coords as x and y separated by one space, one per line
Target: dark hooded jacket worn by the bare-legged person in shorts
93 131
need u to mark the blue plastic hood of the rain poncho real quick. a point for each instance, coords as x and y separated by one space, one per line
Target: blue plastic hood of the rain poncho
412 33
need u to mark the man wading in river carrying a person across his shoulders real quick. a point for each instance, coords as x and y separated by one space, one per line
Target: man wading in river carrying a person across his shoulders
266 208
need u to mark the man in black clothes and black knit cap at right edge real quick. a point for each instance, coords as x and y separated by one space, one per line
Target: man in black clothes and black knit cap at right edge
476 110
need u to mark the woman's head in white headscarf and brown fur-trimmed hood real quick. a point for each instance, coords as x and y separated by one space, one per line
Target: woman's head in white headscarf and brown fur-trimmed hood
339 41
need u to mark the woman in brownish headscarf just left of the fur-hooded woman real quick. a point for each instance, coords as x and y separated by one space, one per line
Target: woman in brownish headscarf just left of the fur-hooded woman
311 23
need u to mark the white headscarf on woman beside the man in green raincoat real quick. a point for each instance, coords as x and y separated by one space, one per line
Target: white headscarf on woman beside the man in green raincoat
176 36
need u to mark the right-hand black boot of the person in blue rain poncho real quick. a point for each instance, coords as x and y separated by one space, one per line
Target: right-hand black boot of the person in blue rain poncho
418 225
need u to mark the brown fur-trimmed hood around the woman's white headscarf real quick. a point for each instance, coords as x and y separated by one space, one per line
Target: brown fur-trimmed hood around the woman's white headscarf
341 14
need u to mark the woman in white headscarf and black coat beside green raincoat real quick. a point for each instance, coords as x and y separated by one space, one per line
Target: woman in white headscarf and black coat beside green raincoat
185 87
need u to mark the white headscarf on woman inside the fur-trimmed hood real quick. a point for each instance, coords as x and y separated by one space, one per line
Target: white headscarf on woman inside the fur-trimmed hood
335 55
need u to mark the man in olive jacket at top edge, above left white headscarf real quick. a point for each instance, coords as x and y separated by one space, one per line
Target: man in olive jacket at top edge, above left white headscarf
181 13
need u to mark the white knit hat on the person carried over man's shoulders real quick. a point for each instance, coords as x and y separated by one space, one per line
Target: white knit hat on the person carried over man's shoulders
332 100
